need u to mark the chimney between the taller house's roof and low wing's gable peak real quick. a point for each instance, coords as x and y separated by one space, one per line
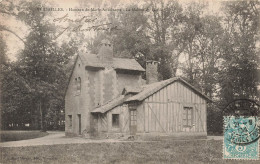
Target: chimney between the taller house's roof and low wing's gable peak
151 71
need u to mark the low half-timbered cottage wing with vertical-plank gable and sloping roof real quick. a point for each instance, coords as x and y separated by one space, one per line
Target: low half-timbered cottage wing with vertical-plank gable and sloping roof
172 106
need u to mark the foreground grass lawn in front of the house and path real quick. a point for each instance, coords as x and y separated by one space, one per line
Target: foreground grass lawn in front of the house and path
167 151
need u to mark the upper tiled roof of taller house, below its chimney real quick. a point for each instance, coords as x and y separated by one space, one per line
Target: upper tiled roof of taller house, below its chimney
93 60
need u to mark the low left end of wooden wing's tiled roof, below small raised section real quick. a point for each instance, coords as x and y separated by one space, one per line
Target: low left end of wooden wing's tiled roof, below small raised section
109 105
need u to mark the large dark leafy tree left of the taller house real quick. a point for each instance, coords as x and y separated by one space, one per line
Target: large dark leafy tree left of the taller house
38 78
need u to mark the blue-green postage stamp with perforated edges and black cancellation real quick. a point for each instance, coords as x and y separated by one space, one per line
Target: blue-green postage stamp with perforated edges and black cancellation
241 135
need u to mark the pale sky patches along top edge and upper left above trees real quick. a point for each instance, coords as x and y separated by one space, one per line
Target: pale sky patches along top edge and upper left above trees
14 45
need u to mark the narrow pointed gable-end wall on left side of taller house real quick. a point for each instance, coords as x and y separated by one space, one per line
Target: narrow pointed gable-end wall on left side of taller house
76 103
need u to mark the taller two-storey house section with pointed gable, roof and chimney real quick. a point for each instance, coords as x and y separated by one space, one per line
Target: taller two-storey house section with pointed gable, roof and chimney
95 80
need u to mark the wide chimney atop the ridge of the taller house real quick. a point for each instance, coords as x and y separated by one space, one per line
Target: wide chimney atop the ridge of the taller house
105 51
